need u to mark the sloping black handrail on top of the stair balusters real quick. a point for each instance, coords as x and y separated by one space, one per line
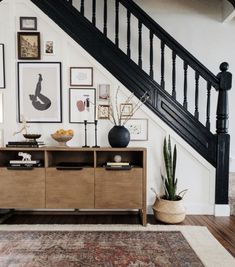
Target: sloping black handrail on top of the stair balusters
185 55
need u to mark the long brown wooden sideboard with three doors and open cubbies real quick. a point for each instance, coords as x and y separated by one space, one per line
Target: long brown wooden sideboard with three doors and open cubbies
90 187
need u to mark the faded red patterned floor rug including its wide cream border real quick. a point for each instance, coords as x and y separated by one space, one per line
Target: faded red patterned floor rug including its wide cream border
110 245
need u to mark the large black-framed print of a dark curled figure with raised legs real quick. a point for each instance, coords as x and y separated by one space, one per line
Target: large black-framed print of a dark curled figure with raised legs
39 91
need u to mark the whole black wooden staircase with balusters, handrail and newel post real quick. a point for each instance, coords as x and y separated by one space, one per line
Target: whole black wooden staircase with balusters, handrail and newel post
213 147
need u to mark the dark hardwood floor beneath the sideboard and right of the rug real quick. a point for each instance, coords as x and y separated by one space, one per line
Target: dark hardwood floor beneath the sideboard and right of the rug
223 228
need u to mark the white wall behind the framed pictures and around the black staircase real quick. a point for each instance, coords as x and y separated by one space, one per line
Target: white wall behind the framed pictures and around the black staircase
205 28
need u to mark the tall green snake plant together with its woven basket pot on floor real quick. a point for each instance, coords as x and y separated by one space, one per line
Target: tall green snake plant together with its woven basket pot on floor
169 207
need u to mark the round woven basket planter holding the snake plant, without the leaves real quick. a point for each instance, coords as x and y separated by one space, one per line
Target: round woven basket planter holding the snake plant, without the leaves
169 211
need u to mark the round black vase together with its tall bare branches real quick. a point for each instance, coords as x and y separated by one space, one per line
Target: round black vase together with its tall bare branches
119 136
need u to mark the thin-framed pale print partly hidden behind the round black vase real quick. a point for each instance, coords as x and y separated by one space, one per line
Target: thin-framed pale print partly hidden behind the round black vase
138 129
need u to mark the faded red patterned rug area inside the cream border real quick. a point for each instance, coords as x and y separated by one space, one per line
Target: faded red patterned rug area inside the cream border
95 248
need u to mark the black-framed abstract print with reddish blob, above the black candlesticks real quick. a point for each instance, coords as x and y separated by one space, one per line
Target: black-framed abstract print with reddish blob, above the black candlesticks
82 105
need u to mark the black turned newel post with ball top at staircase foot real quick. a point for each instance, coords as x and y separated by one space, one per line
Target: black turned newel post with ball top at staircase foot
223 138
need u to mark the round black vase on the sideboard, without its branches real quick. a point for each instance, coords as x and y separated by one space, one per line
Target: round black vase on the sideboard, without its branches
119 136
